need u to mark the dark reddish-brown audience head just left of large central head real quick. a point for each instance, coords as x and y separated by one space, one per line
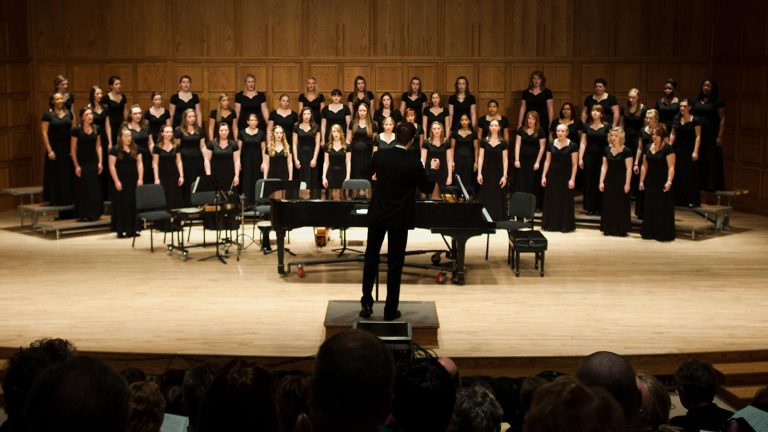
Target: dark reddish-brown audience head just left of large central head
241 397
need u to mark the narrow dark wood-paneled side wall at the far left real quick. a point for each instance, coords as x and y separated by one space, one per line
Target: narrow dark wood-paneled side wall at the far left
15 123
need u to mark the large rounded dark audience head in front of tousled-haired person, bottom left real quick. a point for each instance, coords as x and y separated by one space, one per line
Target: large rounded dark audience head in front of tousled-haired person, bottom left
81 395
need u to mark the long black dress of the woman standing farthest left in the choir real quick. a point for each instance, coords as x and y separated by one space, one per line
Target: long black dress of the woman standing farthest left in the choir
58 175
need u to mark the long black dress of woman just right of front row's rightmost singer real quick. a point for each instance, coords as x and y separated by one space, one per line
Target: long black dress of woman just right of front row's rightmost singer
686 169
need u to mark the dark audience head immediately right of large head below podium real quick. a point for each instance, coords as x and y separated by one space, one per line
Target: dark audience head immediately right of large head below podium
425 395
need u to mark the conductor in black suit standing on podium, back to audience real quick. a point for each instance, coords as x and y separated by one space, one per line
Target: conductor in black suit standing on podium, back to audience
398 175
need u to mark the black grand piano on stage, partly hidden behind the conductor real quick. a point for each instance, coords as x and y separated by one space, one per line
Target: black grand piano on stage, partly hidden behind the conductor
339 208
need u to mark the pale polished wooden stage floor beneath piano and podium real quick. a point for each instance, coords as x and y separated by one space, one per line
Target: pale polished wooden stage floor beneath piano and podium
628 295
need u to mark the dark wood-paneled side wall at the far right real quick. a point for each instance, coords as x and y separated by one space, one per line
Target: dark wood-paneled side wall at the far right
741 65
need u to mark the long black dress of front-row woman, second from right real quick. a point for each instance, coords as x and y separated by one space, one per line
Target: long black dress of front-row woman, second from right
615 214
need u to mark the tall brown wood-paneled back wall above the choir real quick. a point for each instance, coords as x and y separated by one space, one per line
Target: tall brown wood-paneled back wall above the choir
495 43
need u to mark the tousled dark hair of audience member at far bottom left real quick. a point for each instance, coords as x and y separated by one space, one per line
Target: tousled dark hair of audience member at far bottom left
23 367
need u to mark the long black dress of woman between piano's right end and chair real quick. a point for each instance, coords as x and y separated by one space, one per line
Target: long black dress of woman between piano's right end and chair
493 197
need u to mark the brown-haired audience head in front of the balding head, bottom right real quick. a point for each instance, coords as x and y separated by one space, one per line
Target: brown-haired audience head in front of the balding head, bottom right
567 405
